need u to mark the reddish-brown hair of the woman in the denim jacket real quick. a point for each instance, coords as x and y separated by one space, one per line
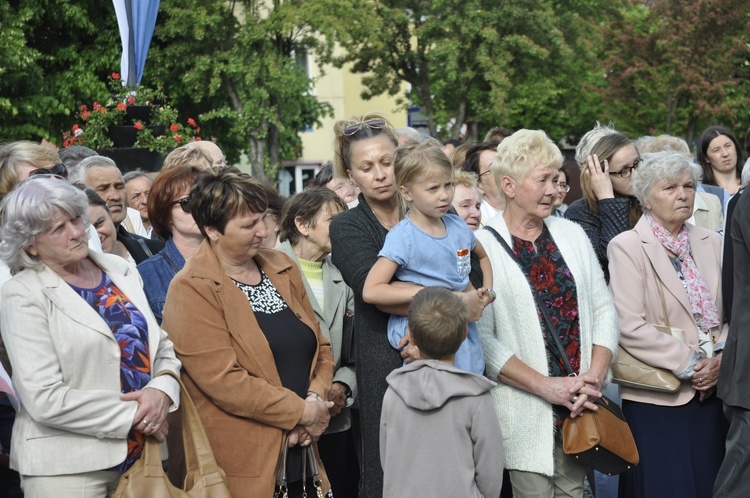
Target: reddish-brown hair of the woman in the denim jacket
165 189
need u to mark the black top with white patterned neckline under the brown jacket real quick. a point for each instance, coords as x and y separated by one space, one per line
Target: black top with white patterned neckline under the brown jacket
293 345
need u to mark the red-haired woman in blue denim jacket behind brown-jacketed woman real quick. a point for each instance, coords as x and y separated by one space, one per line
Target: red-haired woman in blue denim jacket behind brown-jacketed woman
169 212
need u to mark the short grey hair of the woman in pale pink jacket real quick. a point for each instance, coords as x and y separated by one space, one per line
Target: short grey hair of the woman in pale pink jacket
666 165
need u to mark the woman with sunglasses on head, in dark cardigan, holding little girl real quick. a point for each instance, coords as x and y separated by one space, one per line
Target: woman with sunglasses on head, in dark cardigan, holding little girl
364 153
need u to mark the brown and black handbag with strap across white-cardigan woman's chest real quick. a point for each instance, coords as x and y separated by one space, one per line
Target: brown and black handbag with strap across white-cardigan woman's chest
600 439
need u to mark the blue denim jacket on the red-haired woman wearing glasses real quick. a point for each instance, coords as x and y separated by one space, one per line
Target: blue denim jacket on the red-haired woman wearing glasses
157 272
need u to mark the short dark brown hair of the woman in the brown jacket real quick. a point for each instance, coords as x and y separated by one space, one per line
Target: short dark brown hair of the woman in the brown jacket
220 194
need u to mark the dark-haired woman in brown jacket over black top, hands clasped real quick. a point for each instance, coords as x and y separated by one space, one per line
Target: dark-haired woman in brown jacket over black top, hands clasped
254 359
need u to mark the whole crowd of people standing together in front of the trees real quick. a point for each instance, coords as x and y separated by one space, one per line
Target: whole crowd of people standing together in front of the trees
413 314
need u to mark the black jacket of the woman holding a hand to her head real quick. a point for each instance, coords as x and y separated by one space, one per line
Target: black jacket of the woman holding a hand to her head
612 220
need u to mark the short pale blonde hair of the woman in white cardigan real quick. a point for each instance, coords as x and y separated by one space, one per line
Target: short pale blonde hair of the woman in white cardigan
522 151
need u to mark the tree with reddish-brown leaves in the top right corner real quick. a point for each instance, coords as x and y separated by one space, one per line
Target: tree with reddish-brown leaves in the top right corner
677 66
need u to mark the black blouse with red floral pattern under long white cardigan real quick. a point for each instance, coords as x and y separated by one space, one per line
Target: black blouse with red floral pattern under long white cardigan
554 283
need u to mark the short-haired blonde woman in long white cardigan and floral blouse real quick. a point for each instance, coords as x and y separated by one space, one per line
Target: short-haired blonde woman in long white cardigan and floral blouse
535 393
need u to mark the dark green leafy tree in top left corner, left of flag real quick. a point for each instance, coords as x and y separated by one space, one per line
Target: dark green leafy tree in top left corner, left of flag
56 55
